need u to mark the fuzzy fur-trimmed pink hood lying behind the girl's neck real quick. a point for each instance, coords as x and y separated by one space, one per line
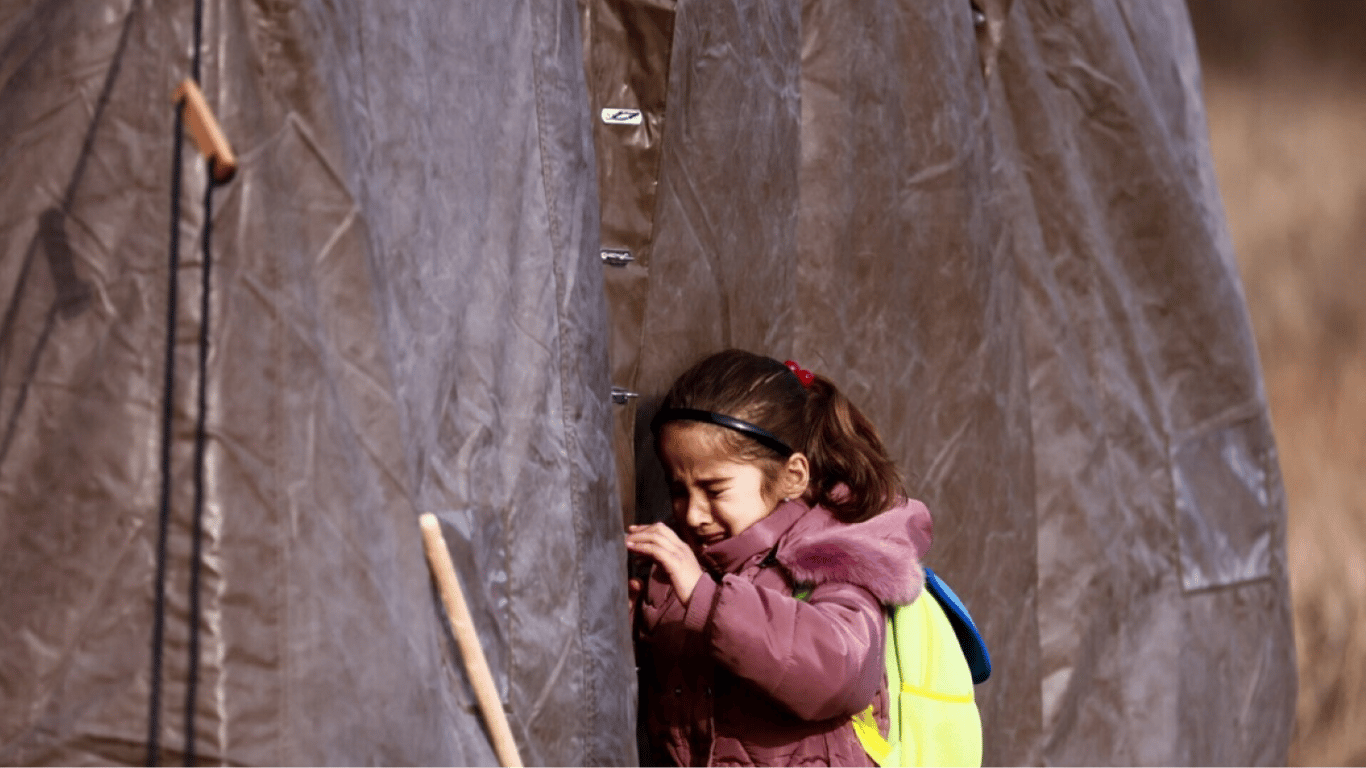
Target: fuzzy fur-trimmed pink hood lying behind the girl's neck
882 554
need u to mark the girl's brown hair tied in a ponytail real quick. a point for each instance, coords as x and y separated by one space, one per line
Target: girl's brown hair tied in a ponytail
842 446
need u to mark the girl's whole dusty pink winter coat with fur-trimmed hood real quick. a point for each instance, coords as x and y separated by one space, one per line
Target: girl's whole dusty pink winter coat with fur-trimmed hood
751 676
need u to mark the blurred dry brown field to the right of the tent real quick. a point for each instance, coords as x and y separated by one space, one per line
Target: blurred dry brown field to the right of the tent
1287 117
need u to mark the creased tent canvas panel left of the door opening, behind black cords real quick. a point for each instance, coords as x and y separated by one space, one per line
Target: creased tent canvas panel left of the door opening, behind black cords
406 316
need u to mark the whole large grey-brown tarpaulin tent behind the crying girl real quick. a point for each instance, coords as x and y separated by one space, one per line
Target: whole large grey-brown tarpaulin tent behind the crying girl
1001 234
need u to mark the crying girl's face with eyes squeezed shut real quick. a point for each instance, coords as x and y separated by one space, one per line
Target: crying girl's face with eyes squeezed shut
715 495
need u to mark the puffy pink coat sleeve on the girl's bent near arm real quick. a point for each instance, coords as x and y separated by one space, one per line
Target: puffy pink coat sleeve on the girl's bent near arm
820 658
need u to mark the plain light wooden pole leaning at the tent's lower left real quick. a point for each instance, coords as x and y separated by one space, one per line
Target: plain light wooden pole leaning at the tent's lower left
439 558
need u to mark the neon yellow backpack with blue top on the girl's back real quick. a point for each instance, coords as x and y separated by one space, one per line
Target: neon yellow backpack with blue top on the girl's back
935 657
